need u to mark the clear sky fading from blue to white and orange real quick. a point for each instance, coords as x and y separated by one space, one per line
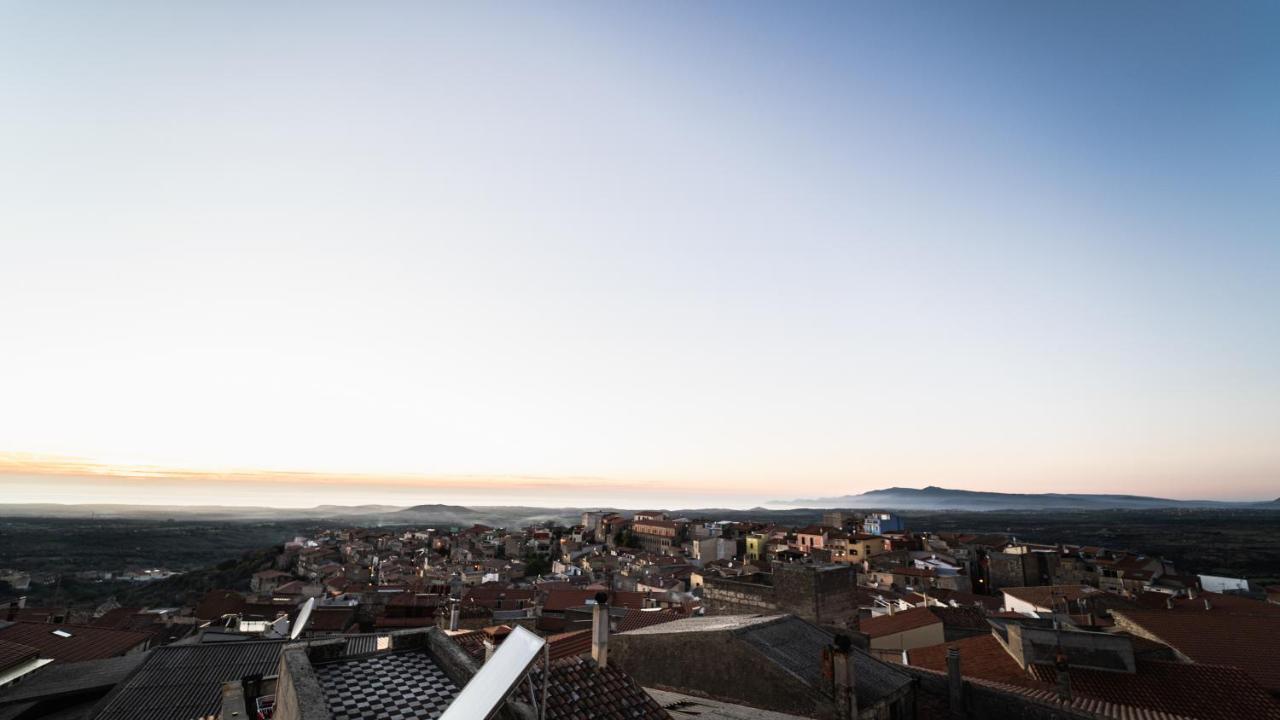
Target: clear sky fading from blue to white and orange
669 254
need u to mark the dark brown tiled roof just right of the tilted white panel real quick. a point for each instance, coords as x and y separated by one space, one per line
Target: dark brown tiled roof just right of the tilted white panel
582 691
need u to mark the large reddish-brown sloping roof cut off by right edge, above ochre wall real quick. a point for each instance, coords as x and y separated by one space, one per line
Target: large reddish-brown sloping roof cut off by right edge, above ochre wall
1247 642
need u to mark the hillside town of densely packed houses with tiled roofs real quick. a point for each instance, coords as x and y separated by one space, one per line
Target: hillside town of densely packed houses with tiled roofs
646 616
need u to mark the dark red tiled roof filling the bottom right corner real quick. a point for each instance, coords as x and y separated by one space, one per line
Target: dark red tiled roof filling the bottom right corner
1208 692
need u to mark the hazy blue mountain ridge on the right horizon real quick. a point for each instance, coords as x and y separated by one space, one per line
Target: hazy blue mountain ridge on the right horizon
943 499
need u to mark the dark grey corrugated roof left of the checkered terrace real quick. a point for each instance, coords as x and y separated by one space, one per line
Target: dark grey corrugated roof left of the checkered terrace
181 682
